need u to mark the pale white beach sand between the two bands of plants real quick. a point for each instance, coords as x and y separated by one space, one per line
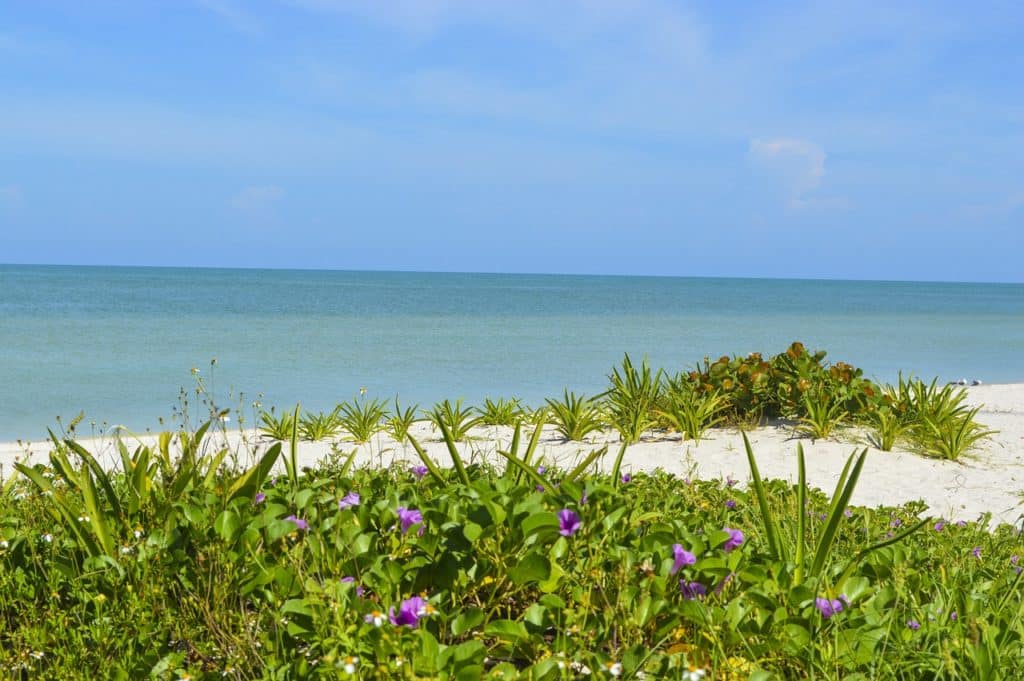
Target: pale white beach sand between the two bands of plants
990 480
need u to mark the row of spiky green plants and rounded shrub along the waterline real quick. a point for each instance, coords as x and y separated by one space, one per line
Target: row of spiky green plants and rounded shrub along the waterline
795 388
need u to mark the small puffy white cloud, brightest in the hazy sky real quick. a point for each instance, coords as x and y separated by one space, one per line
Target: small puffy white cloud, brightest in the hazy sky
798 166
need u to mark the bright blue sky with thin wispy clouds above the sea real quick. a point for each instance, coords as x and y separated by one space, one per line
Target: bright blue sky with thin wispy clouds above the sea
838 141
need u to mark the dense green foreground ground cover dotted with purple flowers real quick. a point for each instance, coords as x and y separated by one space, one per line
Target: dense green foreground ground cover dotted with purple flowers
187 568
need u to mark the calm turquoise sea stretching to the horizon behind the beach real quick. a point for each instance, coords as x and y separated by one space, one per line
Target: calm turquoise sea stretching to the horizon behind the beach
119 343
